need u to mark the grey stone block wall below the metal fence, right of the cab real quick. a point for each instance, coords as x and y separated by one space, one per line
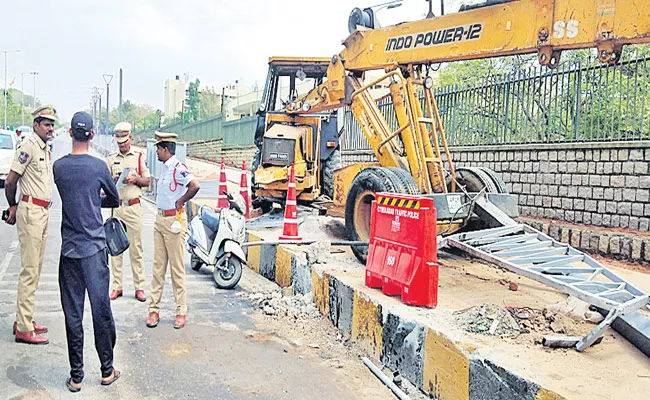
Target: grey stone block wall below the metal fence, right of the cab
599 184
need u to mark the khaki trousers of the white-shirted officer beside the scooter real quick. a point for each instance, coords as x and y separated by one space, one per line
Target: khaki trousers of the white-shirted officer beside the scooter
168 248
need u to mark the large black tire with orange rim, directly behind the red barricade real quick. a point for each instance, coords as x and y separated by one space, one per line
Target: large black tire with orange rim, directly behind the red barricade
358 204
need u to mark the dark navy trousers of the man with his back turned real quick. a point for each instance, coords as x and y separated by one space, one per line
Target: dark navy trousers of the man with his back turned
76 276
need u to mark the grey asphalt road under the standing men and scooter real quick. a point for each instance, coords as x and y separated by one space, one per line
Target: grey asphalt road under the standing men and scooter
215 356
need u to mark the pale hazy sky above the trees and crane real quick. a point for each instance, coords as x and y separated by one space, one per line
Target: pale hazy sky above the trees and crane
71 43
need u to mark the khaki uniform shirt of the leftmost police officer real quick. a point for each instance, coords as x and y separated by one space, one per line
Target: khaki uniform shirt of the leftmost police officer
32 163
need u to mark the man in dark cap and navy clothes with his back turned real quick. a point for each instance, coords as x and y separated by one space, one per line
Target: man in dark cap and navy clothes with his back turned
83 264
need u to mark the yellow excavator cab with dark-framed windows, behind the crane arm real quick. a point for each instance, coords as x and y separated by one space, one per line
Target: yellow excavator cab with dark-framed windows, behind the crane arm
309 141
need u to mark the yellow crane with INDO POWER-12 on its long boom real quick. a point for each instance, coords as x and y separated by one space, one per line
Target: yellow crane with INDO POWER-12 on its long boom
415 157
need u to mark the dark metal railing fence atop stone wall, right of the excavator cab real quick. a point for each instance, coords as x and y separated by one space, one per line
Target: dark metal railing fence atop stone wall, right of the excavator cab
574 103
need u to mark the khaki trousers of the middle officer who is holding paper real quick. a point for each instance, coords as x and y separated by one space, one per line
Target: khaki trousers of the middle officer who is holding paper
132 216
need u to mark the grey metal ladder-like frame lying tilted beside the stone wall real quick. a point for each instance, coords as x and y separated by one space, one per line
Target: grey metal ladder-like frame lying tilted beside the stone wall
525 251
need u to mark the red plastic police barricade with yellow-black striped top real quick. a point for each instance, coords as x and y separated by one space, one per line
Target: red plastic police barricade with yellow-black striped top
402 256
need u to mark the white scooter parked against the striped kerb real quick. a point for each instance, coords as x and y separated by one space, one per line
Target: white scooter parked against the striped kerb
215 240
